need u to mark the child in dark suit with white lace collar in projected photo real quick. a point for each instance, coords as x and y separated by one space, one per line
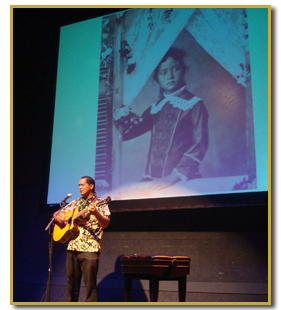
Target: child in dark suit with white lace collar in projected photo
178 123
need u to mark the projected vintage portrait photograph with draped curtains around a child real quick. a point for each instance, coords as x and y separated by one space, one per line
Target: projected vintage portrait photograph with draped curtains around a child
175 113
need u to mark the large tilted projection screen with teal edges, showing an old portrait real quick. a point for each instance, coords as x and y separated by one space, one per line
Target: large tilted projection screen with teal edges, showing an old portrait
116 120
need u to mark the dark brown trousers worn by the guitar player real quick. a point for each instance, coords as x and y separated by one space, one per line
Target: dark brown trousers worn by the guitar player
78 263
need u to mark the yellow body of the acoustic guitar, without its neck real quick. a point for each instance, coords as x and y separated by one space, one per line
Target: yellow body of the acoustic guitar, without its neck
71 229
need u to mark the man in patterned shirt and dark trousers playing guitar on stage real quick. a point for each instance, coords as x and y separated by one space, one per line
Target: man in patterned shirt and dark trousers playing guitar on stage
84 248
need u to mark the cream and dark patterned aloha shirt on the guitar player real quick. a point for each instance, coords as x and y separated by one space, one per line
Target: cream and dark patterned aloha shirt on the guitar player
89 234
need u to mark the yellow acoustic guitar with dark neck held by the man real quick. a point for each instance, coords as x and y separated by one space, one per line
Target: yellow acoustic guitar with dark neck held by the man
73 219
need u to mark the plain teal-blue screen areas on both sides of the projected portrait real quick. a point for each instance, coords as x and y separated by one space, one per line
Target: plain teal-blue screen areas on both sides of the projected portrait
75 118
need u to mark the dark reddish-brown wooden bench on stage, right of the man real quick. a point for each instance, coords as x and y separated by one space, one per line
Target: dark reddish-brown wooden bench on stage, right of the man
155 268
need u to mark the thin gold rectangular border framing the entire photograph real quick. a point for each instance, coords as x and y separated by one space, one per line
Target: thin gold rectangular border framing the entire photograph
269 156
